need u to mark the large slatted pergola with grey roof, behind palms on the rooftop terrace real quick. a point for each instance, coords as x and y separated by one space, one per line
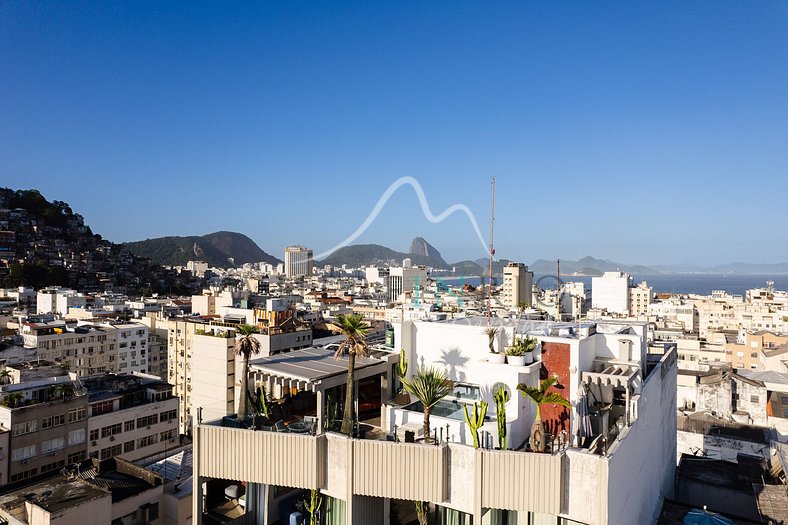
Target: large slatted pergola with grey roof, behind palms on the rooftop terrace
317 370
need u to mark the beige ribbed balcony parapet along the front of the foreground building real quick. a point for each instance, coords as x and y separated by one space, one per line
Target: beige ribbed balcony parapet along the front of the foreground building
345 467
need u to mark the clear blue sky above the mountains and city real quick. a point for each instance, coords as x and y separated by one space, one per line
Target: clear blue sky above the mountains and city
645 132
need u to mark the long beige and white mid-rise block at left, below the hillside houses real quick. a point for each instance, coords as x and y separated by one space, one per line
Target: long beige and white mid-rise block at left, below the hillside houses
90 348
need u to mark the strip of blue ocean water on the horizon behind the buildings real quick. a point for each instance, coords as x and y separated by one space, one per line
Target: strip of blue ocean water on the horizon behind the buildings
700 283
